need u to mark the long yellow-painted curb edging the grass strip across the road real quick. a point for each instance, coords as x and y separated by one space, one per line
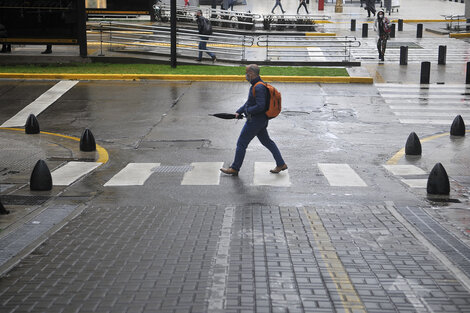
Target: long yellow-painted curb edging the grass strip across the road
170 77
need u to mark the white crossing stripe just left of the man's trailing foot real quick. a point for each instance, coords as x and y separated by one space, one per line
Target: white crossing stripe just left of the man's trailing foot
203 173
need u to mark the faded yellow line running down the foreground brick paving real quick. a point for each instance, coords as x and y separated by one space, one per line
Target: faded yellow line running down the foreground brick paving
348 295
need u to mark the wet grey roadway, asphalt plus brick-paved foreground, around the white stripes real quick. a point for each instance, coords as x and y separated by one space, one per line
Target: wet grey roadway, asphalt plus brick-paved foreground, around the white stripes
165 247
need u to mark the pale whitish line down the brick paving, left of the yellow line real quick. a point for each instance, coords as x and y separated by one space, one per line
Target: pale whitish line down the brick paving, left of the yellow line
218 273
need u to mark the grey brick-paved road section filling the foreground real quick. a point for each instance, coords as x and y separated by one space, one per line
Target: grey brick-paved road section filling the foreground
258 258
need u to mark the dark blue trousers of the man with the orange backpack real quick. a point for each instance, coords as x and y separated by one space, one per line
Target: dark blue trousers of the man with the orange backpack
257 126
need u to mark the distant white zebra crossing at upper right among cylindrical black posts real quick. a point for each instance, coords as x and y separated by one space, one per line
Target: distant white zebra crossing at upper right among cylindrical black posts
418 50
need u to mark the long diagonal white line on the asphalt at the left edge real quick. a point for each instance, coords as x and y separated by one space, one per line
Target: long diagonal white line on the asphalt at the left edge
40 104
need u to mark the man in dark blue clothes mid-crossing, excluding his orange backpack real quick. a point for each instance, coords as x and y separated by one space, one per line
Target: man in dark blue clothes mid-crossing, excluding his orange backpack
256 124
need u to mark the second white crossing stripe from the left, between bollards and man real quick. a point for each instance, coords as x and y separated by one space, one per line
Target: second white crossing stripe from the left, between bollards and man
134 174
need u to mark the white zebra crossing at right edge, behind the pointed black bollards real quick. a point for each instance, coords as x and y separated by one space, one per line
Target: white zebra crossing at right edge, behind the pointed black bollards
432 104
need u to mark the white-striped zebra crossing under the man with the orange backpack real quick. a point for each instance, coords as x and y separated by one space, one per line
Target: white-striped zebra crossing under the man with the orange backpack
208 174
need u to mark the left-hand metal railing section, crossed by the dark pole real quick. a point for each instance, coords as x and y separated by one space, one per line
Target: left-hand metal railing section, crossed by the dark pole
126 37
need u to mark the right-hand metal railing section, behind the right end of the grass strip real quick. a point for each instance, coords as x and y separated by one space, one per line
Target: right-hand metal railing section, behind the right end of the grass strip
309 48
